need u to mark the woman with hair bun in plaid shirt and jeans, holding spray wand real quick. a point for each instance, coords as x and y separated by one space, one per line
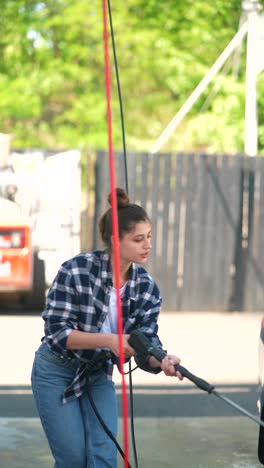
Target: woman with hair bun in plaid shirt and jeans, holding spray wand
80 320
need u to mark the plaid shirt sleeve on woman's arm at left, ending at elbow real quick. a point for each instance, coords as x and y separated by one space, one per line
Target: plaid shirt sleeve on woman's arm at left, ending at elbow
61 312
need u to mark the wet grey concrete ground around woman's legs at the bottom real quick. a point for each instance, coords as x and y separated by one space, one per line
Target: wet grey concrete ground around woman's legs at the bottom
161 443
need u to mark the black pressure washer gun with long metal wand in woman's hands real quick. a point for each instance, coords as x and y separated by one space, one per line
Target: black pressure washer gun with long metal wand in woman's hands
143 347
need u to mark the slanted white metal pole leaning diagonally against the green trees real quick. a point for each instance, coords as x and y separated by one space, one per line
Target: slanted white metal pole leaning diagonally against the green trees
200 88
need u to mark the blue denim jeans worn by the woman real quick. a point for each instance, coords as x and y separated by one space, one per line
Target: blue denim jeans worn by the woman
76 437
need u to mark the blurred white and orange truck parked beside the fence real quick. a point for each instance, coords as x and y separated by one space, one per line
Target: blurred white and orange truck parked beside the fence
39 220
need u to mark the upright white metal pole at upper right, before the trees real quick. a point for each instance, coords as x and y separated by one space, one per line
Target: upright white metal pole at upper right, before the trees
251 8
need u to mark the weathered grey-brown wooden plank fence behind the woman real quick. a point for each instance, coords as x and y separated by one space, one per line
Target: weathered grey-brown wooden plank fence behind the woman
208 225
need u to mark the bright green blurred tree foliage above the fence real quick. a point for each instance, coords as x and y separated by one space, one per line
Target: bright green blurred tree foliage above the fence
52 91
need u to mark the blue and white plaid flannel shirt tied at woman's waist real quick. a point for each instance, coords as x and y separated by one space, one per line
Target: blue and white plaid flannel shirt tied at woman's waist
79 300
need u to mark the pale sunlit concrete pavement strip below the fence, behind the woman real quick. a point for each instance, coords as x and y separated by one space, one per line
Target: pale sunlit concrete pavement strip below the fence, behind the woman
220 347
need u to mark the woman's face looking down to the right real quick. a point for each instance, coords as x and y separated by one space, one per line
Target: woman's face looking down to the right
135 245
